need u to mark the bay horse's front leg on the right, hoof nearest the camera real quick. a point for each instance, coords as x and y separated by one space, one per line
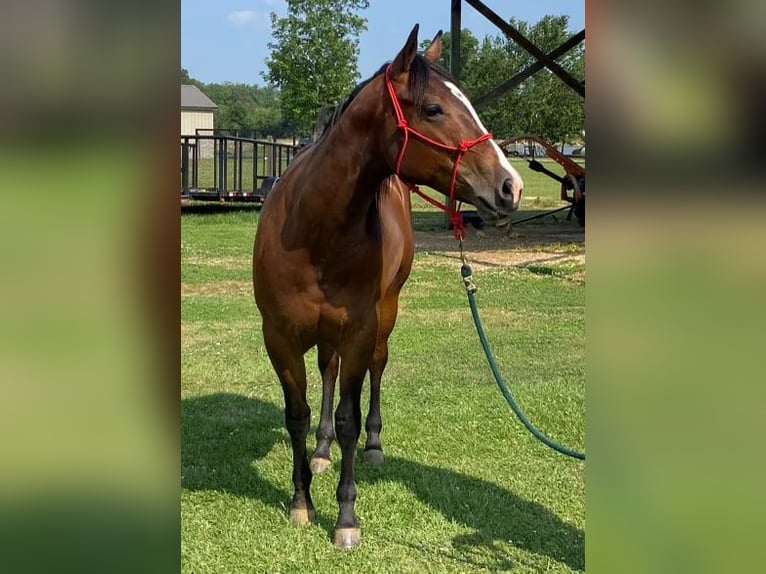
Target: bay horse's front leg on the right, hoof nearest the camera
355 360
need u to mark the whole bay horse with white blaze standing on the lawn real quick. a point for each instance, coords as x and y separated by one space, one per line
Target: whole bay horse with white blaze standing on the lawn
334 246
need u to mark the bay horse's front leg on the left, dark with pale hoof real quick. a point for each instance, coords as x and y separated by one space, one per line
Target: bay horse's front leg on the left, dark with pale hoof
287 360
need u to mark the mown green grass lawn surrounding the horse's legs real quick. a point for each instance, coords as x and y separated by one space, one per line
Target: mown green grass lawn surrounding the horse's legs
465 488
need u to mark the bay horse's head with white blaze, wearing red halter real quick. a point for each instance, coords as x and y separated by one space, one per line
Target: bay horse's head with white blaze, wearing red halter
460 158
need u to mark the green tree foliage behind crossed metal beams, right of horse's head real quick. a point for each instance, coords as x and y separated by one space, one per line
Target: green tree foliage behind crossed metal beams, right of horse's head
543 105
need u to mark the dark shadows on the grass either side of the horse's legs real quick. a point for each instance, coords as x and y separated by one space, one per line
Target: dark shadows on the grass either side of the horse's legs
223 433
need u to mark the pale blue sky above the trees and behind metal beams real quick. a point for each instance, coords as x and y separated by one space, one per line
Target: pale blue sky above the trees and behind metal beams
226 40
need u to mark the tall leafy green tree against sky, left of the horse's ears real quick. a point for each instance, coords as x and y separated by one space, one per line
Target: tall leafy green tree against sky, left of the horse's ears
314 54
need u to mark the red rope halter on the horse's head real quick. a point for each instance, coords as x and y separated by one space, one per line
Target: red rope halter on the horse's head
401 123
